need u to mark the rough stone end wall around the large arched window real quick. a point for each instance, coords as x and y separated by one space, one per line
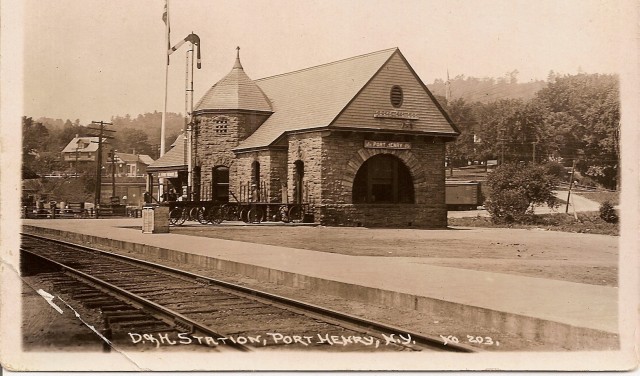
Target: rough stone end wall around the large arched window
344 153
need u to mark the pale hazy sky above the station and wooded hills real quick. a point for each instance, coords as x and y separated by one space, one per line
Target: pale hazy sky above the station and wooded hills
94 59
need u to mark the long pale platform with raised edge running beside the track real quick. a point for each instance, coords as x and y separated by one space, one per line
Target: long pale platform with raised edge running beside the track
568 313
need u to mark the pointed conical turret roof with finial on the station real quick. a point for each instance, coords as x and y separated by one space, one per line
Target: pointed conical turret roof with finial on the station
236 91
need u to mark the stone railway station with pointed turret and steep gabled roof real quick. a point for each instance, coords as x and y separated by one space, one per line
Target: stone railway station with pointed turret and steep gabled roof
360 140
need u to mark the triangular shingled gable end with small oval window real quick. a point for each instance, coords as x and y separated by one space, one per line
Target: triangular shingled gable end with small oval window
372 107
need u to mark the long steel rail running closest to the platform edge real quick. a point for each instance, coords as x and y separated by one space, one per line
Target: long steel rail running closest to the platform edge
422 339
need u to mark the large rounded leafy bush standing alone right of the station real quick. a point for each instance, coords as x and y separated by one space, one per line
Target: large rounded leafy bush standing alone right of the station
515 189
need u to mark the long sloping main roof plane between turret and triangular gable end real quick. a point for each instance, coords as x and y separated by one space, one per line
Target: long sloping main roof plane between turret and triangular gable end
313 97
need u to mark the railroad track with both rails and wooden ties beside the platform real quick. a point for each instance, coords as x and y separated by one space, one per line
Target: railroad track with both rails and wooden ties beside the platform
141 304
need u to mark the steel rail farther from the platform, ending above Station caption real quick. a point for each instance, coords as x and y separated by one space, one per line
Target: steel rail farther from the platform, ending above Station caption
177 319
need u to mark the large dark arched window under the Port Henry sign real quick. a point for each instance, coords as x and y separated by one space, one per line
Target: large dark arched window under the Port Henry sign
383 179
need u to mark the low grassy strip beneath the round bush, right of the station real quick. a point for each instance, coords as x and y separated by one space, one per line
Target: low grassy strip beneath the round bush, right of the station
588 222
